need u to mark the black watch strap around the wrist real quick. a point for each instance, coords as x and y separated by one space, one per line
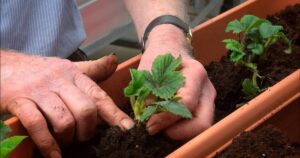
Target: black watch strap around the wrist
167 19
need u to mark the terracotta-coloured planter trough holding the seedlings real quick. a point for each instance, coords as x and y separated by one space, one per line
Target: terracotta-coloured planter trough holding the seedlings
275 103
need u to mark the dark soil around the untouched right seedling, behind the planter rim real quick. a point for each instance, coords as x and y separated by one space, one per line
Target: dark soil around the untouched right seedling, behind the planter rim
227 78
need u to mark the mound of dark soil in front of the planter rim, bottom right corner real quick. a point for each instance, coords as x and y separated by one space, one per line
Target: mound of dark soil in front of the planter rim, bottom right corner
265 142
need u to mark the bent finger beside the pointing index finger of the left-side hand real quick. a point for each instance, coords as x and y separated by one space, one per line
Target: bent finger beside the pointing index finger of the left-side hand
83 109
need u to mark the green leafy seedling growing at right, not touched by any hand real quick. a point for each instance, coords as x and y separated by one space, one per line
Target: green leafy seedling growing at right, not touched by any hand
256 36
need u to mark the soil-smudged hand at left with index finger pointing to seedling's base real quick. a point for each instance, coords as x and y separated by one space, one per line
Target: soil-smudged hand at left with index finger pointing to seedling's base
41 90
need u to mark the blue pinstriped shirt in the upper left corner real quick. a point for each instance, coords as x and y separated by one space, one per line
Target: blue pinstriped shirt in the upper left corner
41 27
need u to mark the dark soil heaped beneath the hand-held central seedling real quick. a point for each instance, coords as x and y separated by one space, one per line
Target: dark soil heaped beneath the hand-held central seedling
111 142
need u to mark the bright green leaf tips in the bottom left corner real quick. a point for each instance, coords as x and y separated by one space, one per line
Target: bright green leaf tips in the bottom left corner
8 144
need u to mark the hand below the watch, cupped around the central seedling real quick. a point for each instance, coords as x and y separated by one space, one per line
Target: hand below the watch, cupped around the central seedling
197 94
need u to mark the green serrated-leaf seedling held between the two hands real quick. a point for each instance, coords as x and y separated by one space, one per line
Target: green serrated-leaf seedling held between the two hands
159 87
